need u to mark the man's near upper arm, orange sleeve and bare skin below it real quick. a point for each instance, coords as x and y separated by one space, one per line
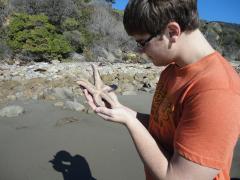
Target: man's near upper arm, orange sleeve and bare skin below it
205 136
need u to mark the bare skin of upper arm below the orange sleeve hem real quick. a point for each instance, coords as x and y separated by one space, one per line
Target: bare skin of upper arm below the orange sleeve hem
183 169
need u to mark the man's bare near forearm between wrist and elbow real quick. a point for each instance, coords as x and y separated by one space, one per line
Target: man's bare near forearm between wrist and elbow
148 149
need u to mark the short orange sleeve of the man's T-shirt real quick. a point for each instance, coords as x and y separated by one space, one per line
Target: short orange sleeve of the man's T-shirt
209 128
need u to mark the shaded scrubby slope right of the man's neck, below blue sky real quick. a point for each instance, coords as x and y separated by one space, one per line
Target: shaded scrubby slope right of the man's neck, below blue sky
224 37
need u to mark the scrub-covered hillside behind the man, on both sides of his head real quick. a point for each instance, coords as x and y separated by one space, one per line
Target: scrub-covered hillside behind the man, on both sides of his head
84 30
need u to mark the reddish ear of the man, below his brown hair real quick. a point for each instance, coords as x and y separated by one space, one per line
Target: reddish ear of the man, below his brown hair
174 31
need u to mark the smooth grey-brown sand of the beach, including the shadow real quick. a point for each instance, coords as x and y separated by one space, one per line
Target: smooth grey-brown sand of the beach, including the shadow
50 143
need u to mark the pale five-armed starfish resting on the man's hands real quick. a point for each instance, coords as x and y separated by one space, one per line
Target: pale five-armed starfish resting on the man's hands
99 90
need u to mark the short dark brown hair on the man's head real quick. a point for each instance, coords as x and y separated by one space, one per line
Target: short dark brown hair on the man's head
152 16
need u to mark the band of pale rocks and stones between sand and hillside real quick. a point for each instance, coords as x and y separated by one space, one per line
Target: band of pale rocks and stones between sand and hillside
56 81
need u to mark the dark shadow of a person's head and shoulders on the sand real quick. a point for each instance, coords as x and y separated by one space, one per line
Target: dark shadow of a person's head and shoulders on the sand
71 167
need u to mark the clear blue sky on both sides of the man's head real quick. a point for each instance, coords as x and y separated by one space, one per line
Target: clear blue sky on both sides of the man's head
211 10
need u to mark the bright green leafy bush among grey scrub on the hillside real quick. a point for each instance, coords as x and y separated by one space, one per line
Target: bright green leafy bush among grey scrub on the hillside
35 35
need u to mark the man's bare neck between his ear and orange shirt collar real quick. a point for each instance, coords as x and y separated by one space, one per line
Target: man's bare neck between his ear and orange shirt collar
192 47
